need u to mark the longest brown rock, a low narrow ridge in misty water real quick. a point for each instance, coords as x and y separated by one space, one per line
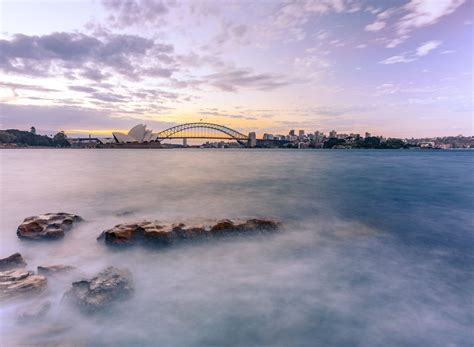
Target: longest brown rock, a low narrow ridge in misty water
156 233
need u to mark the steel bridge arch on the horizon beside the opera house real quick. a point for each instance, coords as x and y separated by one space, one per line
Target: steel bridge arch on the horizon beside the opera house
177 131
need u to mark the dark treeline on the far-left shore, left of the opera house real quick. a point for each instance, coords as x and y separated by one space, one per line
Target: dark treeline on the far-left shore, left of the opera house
27 138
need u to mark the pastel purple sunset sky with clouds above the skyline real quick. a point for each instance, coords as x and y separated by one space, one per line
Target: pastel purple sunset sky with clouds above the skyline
397 68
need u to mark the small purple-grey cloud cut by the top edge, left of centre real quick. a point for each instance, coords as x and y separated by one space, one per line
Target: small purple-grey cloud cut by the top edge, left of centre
125 13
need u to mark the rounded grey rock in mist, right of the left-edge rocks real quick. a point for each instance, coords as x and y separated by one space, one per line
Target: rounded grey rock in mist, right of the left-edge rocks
102 291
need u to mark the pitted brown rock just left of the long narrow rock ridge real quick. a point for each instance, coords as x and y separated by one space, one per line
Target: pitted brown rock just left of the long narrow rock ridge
48 226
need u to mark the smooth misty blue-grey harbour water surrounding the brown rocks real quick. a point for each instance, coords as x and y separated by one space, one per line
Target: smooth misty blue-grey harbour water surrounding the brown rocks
376 249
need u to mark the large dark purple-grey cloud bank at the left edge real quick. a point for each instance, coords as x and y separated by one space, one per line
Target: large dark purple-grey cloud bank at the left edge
65 52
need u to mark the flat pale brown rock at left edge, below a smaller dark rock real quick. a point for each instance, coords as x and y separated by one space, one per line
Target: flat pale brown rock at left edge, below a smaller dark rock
18 283
